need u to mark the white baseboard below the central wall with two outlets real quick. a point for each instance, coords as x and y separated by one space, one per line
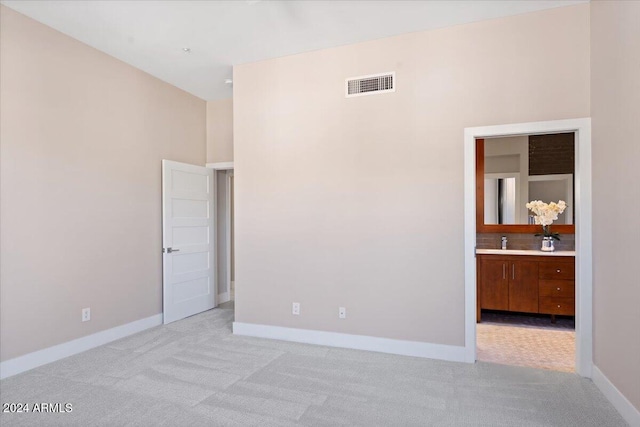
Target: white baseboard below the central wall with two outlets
358 342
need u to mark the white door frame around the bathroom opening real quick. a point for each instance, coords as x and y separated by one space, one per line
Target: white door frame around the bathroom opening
583 213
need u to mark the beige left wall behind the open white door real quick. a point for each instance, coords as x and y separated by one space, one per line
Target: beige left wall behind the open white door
82 138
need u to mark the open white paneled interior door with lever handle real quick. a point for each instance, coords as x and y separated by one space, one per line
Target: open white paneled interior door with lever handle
188 240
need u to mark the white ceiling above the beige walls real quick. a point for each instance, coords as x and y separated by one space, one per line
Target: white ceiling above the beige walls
151 35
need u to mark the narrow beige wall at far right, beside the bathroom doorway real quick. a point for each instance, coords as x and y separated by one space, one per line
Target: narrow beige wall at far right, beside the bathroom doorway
615 107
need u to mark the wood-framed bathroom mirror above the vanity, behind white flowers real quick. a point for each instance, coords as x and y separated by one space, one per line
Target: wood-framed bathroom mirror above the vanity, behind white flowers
511 171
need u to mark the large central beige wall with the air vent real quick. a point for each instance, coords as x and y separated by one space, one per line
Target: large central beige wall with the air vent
359 202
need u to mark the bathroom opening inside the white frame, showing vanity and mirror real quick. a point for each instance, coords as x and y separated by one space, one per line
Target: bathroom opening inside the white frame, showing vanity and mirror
526 297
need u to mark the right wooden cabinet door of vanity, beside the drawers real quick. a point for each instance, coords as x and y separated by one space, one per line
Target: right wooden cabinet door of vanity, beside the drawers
523 286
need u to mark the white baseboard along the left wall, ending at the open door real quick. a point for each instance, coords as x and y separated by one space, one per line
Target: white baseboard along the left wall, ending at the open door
29 361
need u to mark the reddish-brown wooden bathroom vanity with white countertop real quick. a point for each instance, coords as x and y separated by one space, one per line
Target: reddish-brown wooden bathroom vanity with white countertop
526 281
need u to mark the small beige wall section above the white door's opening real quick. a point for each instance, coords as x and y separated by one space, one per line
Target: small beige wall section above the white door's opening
220 131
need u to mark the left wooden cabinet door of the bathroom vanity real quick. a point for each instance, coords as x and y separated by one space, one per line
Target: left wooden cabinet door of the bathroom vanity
494 284
